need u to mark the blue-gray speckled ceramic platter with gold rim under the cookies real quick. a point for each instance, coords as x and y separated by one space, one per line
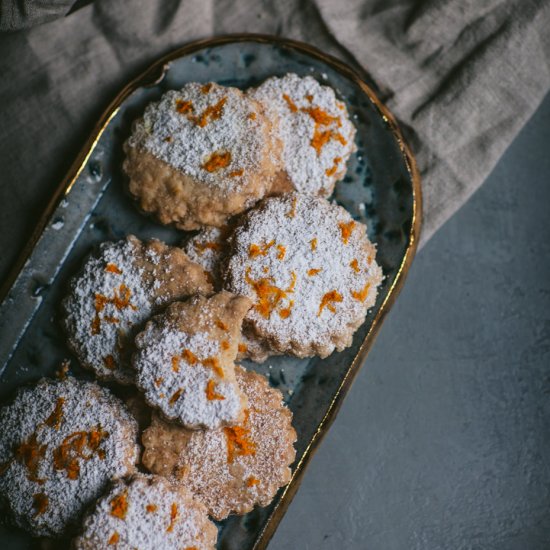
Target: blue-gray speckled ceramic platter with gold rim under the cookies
381 189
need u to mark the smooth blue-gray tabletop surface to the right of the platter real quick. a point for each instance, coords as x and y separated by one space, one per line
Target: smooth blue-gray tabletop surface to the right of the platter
444 440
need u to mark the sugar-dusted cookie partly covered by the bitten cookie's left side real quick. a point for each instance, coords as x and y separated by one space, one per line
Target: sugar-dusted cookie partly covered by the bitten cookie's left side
116 291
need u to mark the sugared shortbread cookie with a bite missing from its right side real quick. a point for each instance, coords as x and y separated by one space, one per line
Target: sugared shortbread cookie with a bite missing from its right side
185 361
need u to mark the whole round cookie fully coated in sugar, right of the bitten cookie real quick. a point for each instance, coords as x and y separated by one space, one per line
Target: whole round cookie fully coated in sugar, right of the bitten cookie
310 269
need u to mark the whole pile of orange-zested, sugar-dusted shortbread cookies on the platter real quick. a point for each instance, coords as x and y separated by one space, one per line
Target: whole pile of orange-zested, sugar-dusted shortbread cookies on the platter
273 269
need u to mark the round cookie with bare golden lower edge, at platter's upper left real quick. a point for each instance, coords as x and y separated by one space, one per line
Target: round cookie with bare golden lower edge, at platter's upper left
200 155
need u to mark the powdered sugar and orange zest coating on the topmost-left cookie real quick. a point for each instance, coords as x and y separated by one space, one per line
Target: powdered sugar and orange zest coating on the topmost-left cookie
187 127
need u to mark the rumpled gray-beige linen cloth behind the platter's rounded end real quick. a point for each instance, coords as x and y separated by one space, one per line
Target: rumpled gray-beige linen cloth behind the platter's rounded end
462 76
